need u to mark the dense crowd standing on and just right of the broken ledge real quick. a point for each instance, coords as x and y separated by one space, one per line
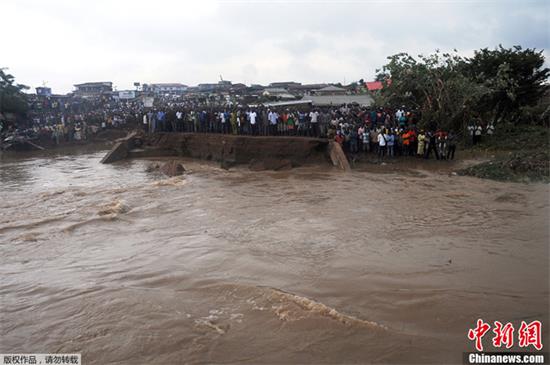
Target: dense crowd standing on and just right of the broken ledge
381 131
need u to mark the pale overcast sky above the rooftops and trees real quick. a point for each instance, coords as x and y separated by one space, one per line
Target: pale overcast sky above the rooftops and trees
63 42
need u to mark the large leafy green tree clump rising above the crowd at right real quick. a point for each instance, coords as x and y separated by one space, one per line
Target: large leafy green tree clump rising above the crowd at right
448 89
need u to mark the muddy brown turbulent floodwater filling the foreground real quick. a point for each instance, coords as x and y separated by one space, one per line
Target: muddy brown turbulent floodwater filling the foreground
388 265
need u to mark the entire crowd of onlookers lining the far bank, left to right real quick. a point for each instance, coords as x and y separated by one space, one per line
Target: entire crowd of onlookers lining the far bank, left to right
384 132
